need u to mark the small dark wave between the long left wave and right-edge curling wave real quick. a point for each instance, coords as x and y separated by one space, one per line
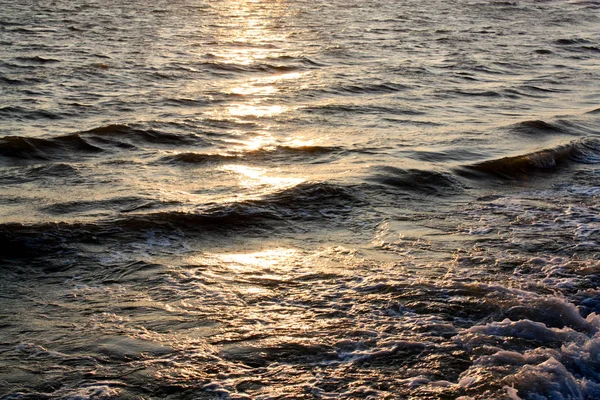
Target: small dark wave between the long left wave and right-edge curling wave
416 180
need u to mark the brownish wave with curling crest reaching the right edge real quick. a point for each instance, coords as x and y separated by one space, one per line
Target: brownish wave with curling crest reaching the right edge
585 151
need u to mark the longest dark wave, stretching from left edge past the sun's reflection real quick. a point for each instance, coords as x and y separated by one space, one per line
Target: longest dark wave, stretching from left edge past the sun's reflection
311 201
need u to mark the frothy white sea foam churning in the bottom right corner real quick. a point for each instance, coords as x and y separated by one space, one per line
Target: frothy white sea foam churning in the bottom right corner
565 367
